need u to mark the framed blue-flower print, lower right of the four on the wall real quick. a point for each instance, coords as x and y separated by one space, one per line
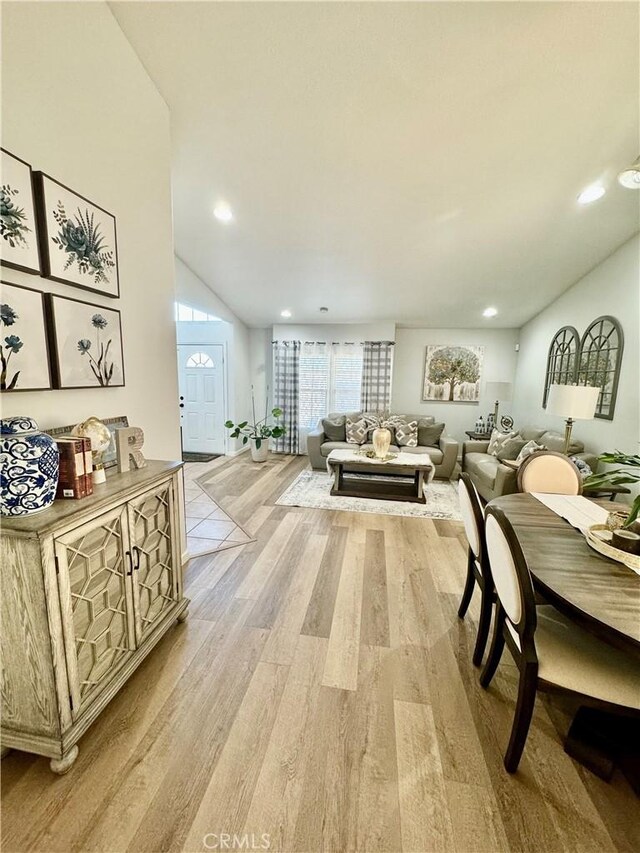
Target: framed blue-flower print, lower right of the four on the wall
86 341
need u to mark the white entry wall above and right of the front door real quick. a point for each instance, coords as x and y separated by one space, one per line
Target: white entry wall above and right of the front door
192 291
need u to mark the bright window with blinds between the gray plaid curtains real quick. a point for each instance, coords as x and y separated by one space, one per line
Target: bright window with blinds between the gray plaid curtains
330 379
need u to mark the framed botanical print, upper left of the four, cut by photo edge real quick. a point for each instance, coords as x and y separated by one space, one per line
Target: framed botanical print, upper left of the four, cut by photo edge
19 248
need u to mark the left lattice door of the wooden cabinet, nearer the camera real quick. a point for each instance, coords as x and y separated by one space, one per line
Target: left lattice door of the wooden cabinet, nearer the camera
94 577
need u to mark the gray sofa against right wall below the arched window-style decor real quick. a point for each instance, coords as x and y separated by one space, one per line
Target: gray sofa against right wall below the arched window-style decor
493 479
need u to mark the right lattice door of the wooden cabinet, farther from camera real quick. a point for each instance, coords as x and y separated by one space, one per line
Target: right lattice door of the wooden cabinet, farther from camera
156 561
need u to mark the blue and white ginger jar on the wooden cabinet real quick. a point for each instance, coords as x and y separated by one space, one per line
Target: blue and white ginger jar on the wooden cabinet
29 464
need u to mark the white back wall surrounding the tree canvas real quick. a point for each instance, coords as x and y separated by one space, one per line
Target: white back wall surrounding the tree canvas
408 374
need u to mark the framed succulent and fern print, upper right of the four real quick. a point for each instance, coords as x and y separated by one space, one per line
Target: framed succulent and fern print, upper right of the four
77 238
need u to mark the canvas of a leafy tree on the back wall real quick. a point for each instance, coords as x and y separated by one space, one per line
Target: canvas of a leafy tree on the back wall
452 373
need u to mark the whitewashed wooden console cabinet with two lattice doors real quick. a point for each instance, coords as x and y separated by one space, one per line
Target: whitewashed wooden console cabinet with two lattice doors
88 589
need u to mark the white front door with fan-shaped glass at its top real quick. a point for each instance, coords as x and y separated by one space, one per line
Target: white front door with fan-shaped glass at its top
202 410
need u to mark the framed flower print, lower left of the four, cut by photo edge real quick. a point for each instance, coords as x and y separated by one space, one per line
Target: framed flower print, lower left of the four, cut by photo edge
24 351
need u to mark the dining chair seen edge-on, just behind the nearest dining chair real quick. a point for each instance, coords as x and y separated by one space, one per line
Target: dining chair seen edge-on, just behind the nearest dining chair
478 568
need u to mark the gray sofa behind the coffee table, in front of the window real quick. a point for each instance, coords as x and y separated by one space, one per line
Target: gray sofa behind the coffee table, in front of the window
444 454
